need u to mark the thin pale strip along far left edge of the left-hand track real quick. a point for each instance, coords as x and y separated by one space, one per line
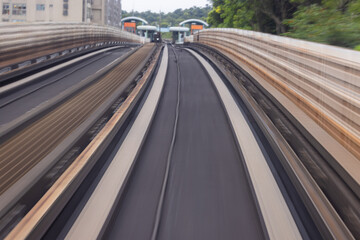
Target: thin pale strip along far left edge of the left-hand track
42 73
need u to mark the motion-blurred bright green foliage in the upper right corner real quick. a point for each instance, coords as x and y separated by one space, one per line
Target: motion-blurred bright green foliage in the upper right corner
335 22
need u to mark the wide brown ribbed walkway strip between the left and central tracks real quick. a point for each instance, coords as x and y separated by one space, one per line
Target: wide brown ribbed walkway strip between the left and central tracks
25 149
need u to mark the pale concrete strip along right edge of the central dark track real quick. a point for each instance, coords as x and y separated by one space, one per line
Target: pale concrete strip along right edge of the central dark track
277 217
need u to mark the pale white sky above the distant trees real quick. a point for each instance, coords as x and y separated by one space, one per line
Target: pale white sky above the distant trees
163 5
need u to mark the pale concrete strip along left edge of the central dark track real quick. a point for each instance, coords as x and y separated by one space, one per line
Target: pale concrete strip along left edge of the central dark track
92 218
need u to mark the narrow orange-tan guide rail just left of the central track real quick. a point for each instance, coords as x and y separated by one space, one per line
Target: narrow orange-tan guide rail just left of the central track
47 206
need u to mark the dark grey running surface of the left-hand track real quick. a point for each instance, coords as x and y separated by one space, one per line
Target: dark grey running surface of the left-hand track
25 104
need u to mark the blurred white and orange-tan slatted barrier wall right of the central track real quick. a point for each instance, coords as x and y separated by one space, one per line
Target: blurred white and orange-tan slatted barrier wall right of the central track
324 81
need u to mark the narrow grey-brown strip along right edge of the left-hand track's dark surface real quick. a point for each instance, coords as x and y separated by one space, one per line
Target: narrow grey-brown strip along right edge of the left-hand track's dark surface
8 128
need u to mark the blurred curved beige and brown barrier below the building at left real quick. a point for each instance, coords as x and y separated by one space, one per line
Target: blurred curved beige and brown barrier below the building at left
25 44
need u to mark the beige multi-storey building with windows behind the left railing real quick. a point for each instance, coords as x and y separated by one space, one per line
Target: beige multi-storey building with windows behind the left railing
104 12
